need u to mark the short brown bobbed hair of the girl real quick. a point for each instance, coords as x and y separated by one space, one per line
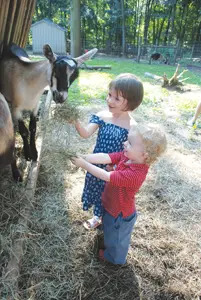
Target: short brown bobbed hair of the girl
130 87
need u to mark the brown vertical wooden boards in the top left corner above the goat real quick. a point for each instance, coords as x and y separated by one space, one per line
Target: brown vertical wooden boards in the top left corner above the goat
15 21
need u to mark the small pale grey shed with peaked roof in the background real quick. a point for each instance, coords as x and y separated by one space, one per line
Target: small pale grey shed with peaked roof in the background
47 32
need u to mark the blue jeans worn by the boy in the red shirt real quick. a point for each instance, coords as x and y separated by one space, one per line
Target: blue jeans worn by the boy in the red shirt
117 236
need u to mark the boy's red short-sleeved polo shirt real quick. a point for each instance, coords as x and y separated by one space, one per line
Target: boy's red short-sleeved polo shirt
119 194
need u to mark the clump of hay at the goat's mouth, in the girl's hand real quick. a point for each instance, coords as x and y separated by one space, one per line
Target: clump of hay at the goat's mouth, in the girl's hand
68 112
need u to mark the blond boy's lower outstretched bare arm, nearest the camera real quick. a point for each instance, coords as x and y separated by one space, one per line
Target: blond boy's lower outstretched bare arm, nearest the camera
96 171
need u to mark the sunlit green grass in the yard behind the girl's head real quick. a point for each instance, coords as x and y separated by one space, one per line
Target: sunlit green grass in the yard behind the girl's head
91 85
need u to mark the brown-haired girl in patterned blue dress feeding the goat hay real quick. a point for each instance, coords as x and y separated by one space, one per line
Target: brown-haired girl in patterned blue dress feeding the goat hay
125 94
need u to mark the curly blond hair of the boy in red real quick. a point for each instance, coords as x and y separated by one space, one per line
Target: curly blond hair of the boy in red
154 140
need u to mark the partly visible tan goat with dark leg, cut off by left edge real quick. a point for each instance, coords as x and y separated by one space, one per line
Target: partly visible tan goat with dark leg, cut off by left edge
7 139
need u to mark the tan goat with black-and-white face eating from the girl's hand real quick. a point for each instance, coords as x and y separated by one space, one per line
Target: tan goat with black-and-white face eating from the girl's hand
22 83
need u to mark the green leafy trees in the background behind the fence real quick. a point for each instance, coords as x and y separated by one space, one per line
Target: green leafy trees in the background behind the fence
160 22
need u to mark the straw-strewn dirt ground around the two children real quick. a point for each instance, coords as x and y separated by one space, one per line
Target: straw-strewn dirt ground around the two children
60 257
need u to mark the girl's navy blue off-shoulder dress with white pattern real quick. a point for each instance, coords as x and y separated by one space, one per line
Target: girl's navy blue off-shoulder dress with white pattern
110 139
